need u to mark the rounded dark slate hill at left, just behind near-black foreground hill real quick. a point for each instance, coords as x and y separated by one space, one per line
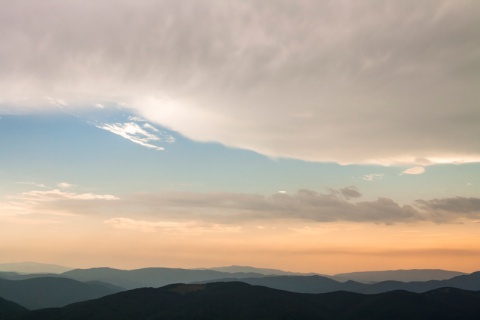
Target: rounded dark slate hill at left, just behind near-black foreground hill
48 292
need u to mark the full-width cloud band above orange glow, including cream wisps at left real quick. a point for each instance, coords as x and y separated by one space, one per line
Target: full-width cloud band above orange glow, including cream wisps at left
236 209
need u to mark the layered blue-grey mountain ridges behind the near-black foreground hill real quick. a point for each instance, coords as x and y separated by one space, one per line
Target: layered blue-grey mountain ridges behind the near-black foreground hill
36 291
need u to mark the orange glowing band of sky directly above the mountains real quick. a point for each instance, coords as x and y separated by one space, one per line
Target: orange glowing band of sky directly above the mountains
327 248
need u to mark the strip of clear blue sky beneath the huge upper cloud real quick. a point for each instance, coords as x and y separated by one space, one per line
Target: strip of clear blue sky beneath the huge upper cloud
61 146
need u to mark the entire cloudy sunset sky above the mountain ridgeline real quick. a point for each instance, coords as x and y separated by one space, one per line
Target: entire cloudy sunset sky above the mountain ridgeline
310 136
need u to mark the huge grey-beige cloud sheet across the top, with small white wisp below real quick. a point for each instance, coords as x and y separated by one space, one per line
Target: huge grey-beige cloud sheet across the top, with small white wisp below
384 82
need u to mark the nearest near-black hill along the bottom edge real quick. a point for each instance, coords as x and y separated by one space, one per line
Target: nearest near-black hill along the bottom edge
239 301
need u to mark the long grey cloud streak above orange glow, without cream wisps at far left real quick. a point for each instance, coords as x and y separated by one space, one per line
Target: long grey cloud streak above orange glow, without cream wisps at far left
307 205
